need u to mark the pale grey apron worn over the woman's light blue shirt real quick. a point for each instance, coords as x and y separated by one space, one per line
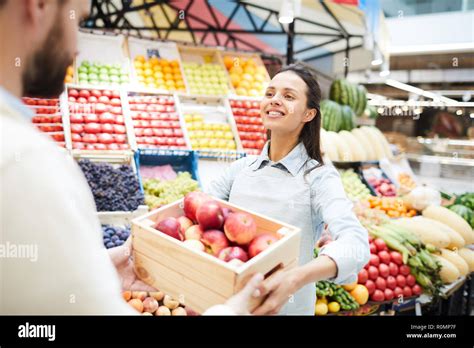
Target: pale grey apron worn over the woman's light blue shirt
255 190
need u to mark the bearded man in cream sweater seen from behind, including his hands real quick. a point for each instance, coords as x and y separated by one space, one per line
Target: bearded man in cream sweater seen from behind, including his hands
52 260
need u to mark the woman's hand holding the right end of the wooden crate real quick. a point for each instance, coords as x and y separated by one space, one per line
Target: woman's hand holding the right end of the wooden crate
279 287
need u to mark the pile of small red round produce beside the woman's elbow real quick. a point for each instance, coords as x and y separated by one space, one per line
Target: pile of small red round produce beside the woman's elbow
385 276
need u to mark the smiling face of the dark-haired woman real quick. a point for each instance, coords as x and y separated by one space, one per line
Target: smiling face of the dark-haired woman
284 106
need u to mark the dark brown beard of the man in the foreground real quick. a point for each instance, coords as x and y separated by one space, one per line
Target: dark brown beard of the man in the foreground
45 71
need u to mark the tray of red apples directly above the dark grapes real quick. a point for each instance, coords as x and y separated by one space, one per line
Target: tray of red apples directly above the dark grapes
96 120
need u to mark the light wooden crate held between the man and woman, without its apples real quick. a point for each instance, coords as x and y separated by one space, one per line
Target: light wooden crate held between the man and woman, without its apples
198 279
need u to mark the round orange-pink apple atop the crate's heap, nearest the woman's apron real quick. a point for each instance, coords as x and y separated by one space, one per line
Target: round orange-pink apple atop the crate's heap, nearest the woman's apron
240 228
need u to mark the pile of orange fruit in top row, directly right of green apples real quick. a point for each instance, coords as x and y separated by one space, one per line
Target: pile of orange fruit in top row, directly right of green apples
159 73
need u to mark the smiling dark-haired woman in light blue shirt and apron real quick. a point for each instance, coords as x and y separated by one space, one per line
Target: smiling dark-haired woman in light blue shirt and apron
288 181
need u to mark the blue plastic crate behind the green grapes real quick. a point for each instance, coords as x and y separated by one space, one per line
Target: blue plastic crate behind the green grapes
180 160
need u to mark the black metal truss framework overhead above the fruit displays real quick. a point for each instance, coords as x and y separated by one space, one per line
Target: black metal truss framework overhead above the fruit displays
106 15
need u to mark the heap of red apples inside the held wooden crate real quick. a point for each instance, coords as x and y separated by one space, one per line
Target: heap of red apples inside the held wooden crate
208 227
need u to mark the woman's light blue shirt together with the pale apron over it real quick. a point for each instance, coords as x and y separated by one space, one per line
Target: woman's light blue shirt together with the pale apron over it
297 191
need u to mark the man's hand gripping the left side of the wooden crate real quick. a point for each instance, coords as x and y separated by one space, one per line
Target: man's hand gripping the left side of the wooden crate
121 258
